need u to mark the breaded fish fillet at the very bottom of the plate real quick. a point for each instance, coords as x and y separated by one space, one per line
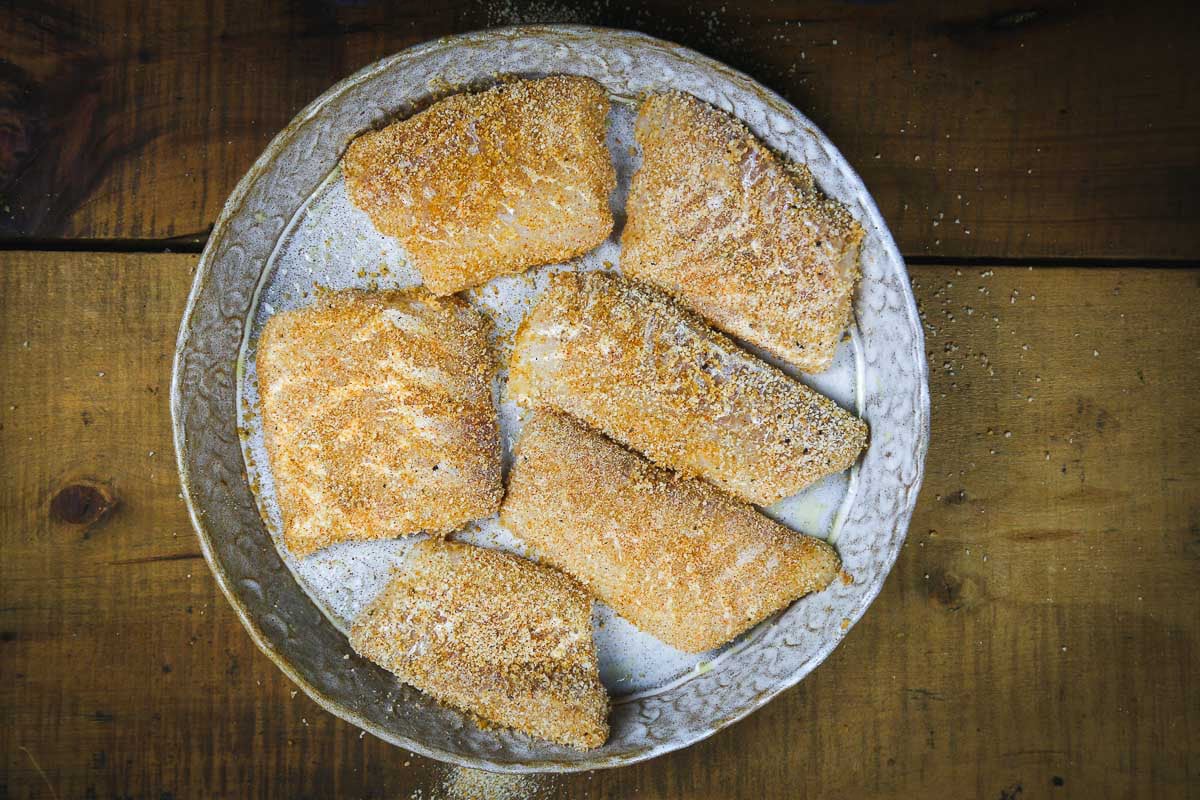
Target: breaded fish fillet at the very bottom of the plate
495 636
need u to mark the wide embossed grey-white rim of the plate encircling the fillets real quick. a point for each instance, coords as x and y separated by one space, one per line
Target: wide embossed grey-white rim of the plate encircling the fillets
280 616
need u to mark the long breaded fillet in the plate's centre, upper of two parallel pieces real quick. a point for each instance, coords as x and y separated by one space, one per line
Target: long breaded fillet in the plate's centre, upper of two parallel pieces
631 363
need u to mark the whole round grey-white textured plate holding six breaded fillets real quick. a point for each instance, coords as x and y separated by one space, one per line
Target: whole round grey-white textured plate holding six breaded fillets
289 228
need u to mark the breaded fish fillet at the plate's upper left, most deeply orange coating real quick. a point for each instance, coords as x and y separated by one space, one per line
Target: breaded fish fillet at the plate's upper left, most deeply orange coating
487 184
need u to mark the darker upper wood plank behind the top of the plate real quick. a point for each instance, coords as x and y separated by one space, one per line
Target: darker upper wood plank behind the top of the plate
1061 131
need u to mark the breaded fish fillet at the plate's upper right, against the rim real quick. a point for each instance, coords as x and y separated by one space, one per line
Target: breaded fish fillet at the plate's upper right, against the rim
742 238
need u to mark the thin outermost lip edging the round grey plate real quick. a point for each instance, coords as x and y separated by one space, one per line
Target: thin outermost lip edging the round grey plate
237 201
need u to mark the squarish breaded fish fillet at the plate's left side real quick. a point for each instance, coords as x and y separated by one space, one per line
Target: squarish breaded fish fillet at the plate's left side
379 417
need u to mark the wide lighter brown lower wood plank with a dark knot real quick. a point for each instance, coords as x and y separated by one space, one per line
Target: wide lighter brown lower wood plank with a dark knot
1041 627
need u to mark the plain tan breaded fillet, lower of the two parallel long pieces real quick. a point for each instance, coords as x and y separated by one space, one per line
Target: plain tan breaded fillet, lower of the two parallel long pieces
674 556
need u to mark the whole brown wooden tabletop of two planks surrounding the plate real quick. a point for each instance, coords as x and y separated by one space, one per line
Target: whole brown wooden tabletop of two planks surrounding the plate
1040 167
